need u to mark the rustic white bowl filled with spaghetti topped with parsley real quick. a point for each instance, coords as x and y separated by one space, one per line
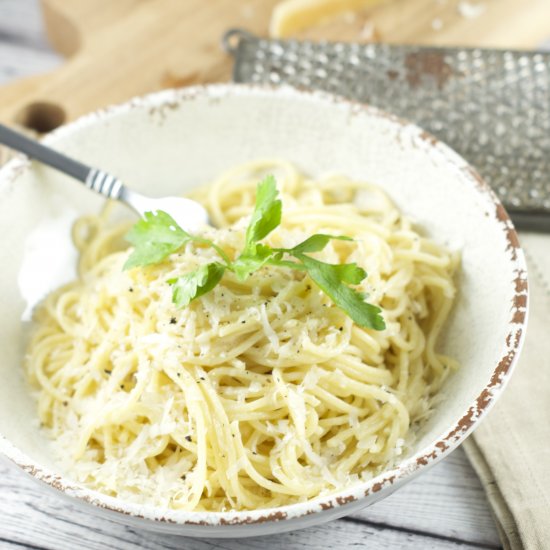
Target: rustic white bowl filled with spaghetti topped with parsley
348 318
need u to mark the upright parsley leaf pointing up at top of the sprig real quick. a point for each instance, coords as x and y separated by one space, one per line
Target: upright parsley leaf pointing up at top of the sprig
267 213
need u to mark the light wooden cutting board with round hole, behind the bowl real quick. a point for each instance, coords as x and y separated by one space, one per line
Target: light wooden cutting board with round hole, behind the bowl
117 49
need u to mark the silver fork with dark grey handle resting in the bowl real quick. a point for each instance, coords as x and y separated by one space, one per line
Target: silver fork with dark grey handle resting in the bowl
187 213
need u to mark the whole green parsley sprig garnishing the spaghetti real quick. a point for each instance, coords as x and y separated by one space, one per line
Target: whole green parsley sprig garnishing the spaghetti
157 235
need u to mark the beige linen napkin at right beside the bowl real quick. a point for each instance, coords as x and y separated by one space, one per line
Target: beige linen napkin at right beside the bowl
510 450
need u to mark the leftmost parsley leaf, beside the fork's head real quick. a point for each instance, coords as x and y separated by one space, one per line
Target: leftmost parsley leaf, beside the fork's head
154 237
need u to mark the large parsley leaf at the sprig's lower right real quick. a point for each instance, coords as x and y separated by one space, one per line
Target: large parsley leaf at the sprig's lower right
328 278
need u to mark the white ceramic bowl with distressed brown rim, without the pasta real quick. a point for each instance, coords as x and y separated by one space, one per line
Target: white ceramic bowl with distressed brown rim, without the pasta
166 143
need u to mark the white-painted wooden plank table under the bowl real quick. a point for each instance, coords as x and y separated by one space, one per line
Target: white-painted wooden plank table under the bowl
444 509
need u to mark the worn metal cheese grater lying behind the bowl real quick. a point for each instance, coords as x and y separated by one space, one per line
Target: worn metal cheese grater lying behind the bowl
491 106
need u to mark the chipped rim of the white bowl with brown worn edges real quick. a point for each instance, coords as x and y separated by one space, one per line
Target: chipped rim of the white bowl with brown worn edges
444 444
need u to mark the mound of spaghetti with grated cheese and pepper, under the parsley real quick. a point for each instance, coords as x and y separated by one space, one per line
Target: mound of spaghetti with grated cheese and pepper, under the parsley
260 393
